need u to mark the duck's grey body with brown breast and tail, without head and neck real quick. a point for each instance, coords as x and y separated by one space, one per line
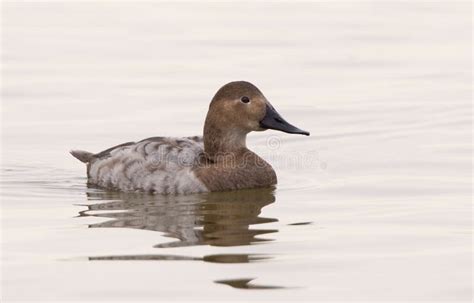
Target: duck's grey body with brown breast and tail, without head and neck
174 166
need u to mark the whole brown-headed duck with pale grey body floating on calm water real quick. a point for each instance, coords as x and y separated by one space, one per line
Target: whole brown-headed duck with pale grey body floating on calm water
217 161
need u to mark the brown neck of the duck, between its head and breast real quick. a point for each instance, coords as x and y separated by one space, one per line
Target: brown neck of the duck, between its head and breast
222 143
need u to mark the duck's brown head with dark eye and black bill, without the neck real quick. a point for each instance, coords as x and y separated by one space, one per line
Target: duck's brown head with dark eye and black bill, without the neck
240 107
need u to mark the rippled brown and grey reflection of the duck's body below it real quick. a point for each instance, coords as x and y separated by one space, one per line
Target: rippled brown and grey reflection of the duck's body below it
216 219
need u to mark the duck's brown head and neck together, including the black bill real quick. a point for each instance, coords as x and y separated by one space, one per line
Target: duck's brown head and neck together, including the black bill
238 108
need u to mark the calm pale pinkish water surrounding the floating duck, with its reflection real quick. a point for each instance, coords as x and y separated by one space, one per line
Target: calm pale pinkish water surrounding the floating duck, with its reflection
375 205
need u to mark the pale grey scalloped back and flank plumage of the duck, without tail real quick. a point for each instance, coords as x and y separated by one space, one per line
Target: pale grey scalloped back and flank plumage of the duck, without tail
158 164
